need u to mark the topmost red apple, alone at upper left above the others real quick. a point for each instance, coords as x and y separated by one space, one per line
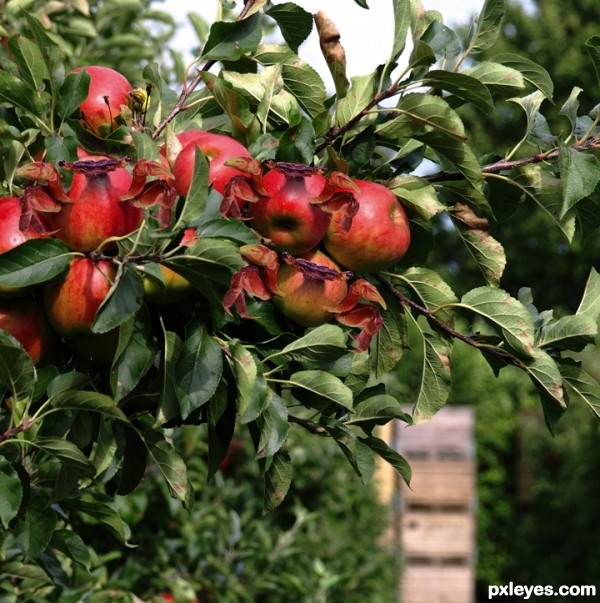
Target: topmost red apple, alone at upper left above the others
98 115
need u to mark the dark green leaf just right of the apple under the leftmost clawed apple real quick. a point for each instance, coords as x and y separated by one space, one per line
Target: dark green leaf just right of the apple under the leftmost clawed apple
122 302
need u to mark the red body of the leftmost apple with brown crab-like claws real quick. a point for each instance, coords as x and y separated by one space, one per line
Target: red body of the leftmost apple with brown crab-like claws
96 212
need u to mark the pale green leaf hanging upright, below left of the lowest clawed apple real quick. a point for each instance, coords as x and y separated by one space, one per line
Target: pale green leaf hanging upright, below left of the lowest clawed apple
250 383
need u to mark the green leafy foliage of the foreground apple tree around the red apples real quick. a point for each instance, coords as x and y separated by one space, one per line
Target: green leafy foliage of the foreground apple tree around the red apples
74 433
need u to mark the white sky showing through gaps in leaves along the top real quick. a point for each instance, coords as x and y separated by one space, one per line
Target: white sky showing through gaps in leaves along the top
365 34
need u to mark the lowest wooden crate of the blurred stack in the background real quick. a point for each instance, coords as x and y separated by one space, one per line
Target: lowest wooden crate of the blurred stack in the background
437 583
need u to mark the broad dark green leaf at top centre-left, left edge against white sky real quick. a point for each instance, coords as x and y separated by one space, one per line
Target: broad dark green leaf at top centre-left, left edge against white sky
231 41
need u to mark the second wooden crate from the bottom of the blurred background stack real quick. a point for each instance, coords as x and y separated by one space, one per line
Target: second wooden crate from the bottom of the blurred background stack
437 535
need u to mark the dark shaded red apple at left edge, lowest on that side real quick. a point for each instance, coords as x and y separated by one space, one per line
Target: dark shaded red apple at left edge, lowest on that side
26 321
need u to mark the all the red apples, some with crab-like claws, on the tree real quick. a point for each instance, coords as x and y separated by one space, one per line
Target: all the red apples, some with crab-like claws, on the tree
318 230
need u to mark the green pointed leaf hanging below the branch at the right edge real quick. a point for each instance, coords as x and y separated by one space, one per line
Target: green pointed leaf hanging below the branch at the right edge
580 174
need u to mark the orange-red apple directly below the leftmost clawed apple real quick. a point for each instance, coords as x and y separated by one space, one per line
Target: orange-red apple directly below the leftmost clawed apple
71 306
